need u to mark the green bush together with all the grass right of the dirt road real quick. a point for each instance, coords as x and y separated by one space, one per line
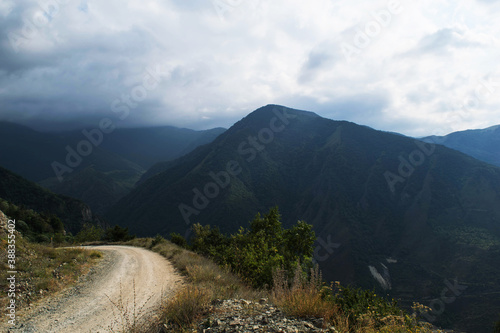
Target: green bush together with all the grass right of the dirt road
296 288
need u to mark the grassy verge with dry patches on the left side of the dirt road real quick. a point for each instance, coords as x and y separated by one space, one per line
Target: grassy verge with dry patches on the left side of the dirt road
42 270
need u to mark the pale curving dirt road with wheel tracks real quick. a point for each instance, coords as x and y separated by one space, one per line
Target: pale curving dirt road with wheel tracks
104 301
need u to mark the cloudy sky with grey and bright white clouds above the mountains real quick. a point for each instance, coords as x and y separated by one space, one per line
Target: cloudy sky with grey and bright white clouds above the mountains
414 67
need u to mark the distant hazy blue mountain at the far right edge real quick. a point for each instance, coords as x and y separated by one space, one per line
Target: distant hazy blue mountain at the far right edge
483 144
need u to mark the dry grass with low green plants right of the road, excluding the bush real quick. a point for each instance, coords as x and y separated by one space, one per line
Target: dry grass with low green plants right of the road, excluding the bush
347 309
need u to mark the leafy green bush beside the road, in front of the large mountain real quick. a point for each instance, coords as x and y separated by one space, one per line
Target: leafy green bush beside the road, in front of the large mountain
255 253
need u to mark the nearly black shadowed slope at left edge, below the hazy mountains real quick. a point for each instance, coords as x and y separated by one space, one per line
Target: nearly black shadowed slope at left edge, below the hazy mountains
21 192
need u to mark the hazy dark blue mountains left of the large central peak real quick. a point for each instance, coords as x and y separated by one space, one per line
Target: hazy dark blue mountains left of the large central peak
89 164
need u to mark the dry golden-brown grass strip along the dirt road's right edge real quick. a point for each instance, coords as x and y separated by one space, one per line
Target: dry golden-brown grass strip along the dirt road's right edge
303 297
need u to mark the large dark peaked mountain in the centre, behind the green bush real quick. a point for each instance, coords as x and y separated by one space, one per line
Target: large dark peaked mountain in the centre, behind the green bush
418 221
